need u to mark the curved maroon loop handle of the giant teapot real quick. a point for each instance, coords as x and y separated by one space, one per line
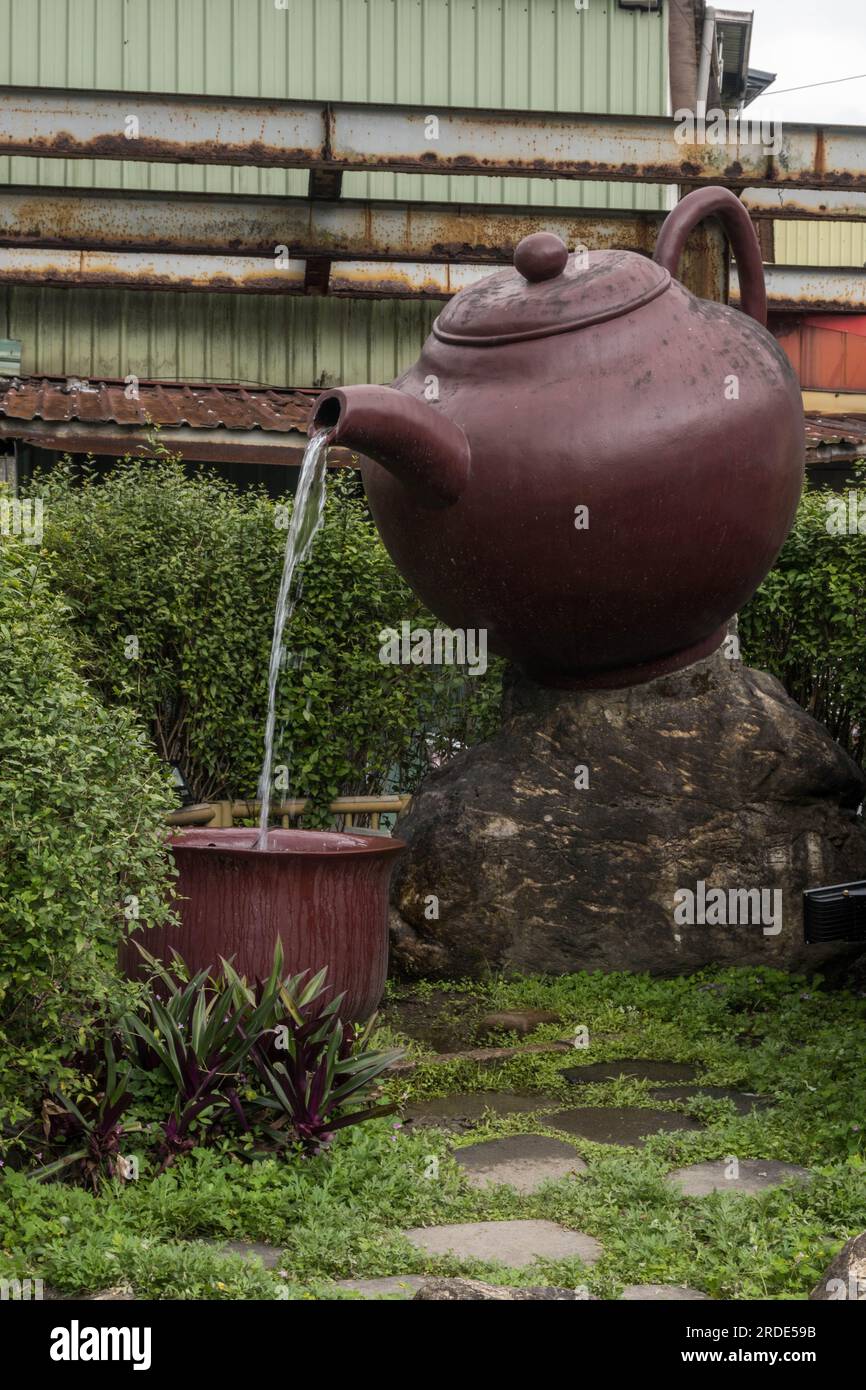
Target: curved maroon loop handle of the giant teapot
726 206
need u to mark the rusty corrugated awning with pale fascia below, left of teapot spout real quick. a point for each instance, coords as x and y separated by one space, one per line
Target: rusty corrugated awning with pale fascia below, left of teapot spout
205 423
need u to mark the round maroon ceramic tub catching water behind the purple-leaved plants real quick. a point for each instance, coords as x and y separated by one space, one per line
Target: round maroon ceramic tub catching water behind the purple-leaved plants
325 894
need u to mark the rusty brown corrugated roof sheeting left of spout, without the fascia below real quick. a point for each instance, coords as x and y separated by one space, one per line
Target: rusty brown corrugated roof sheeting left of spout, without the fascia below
161 404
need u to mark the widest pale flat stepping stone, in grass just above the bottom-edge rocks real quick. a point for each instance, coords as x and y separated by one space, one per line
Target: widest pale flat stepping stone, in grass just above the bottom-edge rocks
515 1243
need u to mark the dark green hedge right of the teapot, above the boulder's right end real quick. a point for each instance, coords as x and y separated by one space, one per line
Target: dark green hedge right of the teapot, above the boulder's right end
807 622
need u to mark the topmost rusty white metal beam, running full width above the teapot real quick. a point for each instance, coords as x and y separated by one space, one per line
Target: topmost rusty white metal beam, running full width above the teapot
344 136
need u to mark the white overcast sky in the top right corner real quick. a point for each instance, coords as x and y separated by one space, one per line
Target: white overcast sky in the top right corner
810 41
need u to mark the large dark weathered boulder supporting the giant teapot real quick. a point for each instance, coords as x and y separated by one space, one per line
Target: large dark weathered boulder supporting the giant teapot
712 776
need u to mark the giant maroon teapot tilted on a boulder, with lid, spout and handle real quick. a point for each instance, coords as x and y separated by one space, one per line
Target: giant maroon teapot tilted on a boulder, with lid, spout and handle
593 383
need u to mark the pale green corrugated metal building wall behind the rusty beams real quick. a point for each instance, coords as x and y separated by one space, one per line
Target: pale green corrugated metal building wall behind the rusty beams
539 55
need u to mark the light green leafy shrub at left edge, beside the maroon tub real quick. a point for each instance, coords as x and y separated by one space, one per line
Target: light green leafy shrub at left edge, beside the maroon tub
81 839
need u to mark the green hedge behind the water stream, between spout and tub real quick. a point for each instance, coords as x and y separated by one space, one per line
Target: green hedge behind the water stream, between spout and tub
173 580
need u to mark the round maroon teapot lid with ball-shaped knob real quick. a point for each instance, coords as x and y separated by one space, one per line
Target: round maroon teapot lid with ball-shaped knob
550 293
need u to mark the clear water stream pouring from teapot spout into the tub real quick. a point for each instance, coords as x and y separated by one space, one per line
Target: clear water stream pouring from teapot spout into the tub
307 521
